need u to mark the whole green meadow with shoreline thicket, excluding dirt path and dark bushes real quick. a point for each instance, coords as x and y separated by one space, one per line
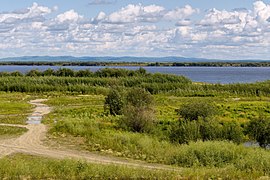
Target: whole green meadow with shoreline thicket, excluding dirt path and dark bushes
212 147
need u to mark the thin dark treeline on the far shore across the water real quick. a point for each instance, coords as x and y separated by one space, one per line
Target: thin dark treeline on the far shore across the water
170 64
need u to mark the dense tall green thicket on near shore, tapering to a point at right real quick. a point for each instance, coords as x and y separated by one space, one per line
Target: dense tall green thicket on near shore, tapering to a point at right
85 81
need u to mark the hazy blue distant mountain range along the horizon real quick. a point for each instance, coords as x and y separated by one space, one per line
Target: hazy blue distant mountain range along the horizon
115 59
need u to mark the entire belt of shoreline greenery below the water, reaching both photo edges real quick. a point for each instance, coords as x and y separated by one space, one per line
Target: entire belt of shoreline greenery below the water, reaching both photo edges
85 81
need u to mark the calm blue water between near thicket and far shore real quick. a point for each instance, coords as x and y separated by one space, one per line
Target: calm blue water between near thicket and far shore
222 75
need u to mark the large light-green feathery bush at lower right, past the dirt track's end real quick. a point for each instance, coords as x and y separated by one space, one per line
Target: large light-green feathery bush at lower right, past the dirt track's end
222 154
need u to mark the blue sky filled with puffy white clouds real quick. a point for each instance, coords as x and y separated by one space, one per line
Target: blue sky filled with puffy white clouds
225 29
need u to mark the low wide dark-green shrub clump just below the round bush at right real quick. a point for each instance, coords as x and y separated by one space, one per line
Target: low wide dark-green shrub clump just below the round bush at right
185 131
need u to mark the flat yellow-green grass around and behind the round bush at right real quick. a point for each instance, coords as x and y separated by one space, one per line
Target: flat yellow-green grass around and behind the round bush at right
230 108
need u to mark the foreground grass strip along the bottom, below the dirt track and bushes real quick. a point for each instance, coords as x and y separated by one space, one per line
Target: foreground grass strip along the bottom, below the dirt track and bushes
21 166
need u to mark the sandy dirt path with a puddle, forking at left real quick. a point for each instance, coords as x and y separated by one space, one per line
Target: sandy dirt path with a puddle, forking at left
31 143
